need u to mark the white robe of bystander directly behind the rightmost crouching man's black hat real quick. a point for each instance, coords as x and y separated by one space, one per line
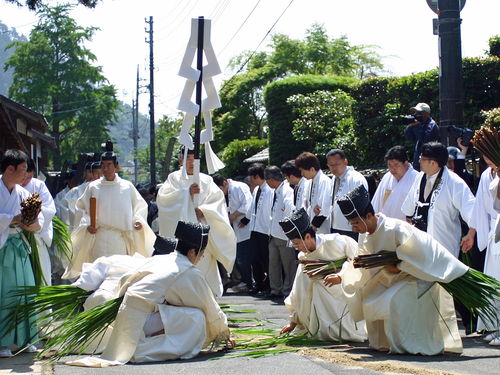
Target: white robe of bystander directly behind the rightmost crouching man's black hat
348 181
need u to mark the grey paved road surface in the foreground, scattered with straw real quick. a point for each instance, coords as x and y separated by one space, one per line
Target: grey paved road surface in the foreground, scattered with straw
478 357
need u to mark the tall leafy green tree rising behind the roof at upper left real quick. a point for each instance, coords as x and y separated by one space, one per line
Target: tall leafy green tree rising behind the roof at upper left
53 74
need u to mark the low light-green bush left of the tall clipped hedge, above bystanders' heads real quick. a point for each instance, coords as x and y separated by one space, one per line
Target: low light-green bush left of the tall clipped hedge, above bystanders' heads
237 151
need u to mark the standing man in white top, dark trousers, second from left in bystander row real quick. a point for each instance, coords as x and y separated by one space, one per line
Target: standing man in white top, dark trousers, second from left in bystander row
258 218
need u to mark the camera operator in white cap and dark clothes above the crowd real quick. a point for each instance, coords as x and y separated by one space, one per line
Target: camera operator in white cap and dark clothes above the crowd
423 130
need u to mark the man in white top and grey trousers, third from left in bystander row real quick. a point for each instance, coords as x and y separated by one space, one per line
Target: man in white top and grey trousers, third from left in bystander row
281 256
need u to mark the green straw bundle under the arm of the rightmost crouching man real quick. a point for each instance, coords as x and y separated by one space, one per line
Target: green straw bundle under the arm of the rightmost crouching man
475 290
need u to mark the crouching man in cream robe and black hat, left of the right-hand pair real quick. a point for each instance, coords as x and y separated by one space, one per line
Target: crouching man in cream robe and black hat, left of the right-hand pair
318 305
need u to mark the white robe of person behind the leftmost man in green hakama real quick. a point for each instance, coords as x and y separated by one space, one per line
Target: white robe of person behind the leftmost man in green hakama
44 238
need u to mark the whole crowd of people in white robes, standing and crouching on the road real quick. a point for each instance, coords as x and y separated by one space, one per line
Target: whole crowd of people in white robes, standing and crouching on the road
256 236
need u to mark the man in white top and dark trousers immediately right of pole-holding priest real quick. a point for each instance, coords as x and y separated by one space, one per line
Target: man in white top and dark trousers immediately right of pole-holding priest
239 200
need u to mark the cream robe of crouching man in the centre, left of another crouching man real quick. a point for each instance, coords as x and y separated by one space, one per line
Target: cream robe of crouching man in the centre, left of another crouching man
322 310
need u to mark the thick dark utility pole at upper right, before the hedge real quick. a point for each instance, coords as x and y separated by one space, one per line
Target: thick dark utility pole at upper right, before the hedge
450 68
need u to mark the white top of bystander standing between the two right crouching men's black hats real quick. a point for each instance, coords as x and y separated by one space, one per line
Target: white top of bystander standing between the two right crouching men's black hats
319 193
